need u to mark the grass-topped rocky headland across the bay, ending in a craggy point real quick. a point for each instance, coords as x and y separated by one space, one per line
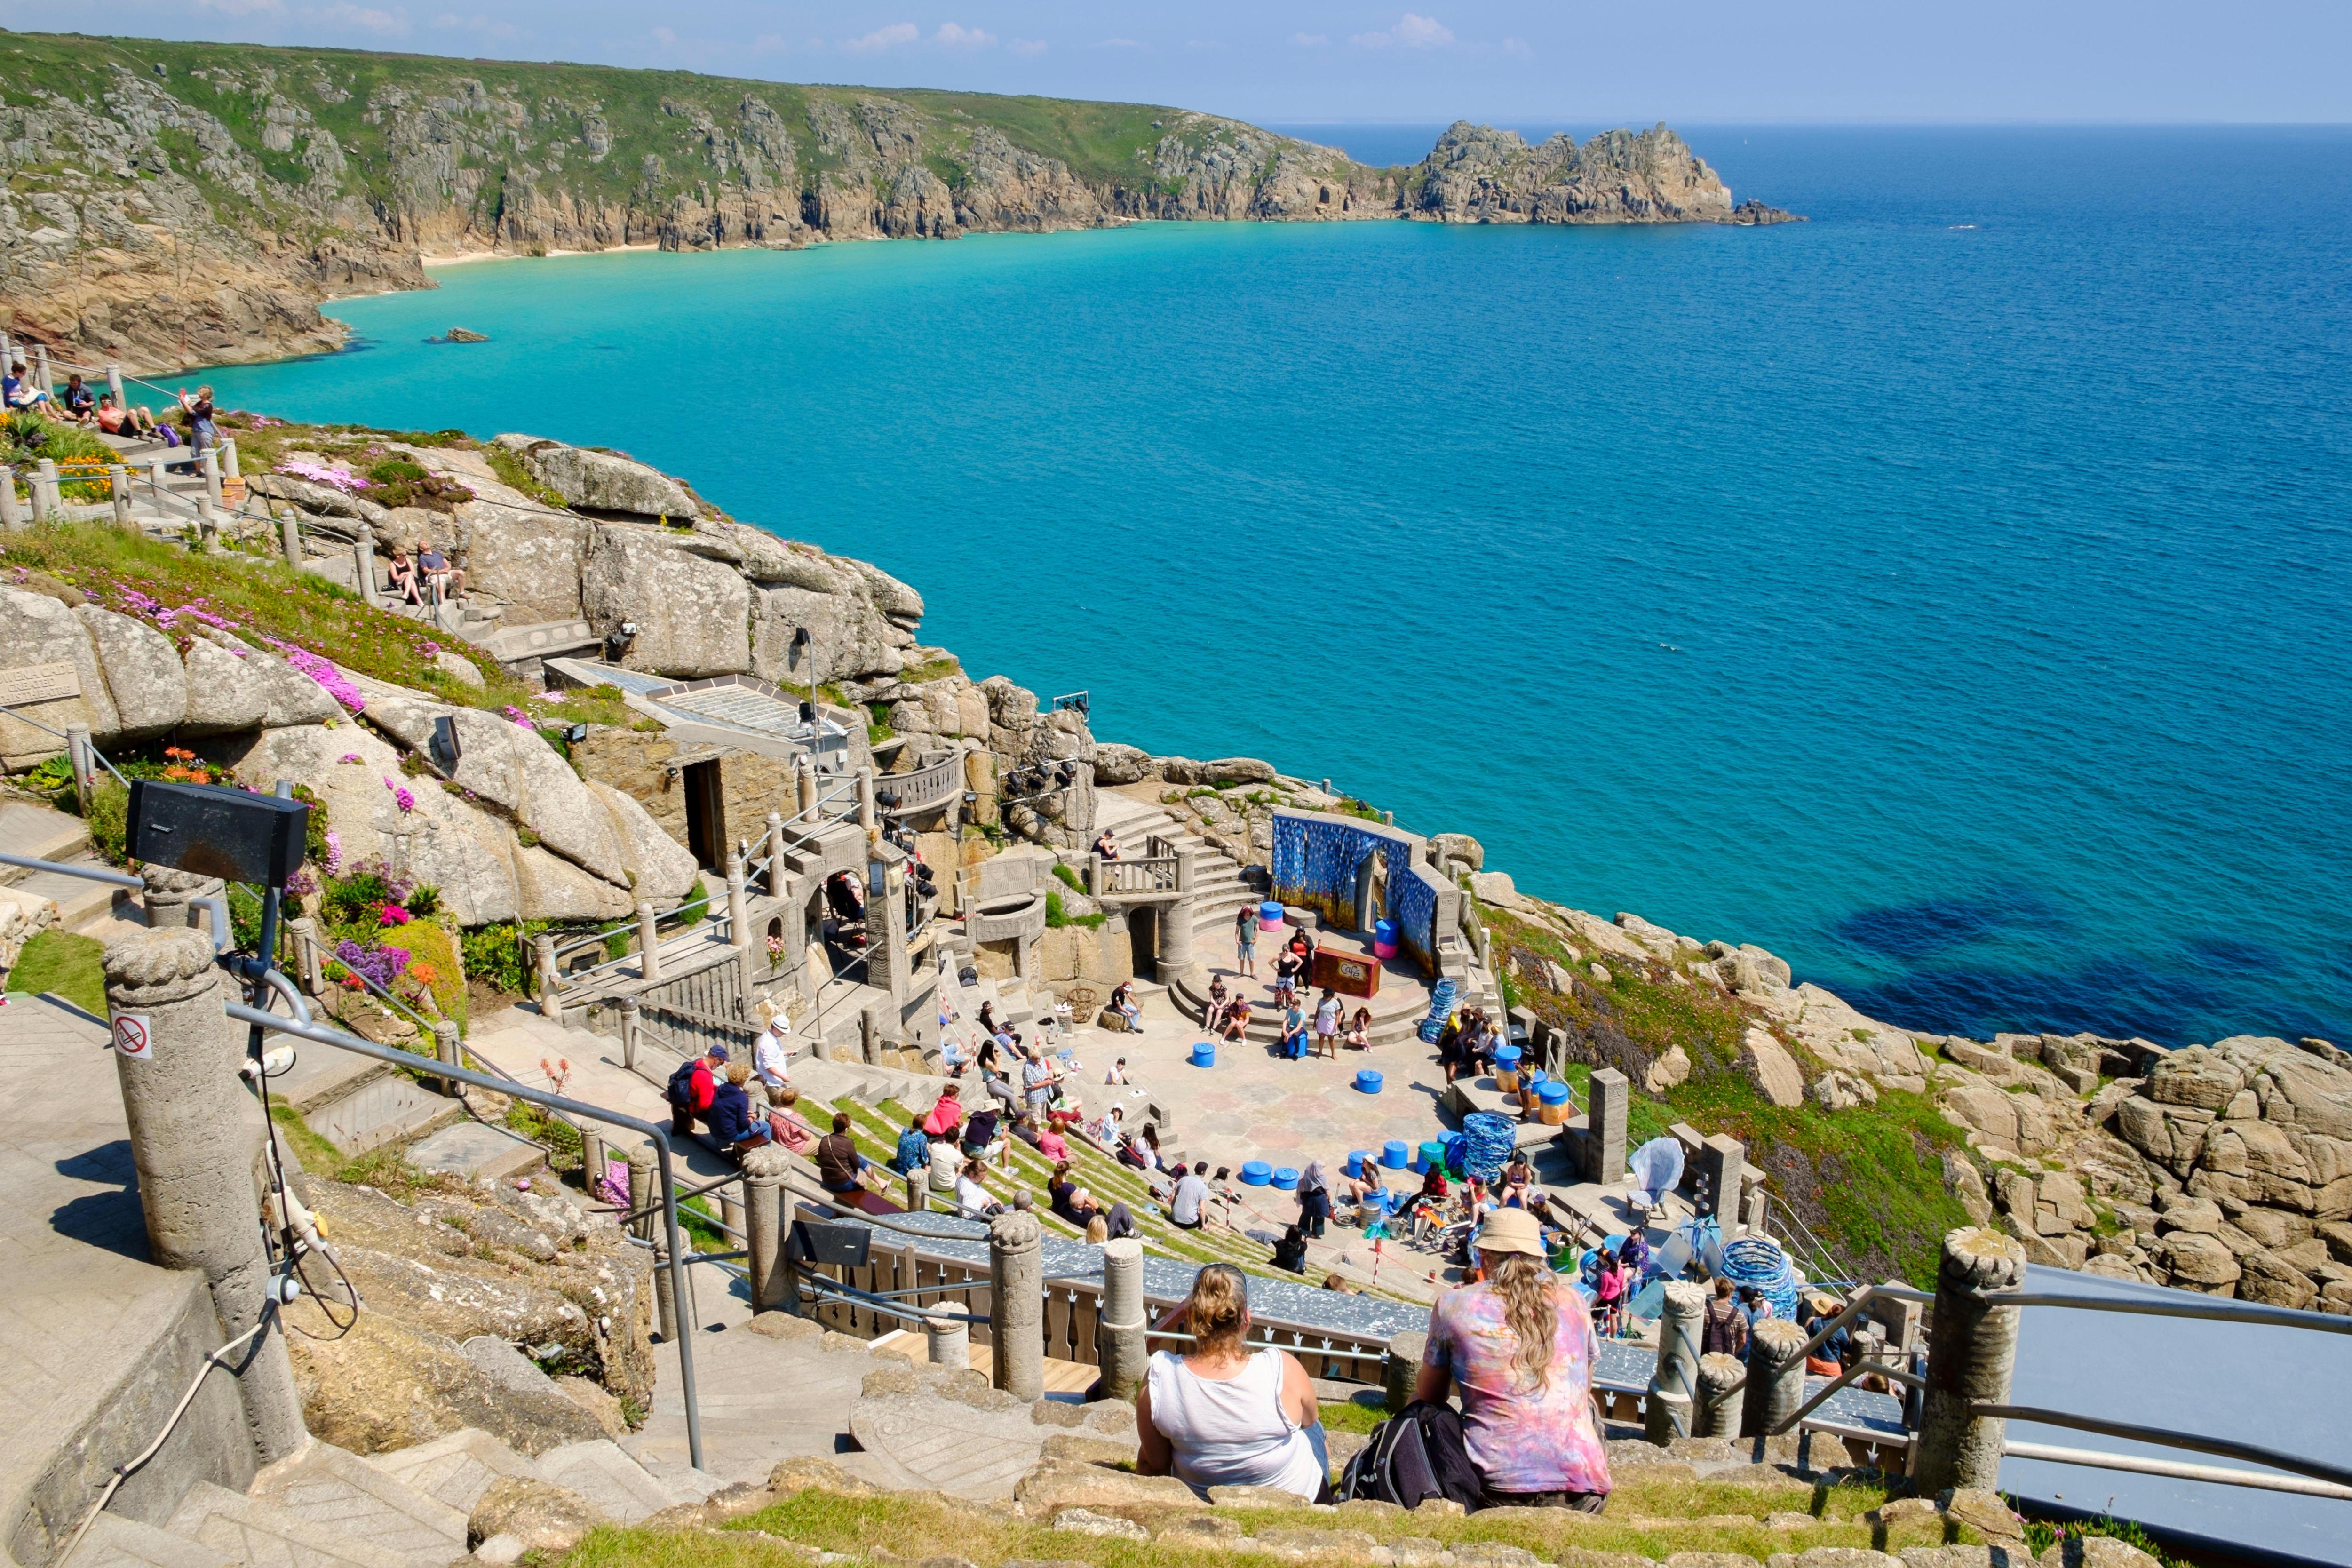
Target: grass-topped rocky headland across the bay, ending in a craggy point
194 203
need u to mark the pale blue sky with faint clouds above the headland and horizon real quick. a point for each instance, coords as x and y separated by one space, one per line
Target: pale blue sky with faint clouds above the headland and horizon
1330 60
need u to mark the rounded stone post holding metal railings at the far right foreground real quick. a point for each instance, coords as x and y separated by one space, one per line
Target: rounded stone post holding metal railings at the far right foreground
1970 1362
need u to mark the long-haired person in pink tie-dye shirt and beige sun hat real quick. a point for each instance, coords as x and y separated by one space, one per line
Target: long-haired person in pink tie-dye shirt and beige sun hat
1523 1353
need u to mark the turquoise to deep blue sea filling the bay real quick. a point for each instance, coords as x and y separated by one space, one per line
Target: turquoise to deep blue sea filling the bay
1946 594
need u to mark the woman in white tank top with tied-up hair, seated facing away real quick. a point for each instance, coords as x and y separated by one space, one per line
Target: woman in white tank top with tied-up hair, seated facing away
1224 1416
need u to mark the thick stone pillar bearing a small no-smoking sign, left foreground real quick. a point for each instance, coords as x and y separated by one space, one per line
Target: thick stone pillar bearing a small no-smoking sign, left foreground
194 1141
